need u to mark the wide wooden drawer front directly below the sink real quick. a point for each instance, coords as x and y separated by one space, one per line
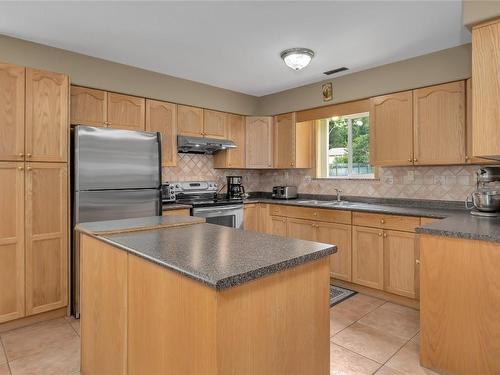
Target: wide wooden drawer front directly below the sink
332 216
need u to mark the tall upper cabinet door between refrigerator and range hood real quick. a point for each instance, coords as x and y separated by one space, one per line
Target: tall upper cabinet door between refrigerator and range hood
162 117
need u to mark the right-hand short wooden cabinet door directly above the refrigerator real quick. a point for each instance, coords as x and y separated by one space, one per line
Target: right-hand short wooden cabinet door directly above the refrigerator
126 112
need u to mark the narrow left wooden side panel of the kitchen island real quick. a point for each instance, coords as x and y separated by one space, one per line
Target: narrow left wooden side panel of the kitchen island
104 309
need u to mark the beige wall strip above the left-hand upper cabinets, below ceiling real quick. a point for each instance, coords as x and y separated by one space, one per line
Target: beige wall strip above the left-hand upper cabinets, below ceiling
89 71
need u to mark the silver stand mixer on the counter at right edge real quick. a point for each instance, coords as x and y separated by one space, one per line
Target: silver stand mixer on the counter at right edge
486 198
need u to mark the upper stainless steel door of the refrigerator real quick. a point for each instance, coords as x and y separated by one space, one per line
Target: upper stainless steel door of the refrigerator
116 159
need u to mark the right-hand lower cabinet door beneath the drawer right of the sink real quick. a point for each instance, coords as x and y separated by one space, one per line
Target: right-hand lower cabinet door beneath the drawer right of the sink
400 263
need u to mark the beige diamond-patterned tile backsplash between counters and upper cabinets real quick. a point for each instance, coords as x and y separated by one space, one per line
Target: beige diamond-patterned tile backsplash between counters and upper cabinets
442 183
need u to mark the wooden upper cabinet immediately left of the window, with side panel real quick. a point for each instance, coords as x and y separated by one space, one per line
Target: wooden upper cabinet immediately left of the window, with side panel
292 142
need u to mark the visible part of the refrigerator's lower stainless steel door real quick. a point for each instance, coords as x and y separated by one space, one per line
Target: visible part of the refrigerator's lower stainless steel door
116 204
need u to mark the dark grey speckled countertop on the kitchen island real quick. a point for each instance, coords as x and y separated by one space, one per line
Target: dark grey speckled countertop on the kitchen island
217 256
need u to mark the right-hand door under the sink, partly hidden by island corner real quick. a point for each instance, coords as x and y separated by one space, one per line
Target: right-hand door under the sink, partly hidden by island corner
340 235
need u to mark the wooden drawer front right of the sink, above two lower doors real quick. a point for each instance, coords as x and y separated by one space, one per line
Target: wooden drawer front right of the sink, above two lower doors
384 221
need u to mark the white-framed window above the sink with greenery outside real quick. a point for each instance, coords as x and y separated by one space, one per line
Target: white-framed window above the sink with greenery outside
344 147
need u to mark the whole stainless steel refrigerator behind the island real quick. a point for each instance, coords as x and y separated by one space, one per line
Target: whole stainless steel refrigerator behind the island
116 175
